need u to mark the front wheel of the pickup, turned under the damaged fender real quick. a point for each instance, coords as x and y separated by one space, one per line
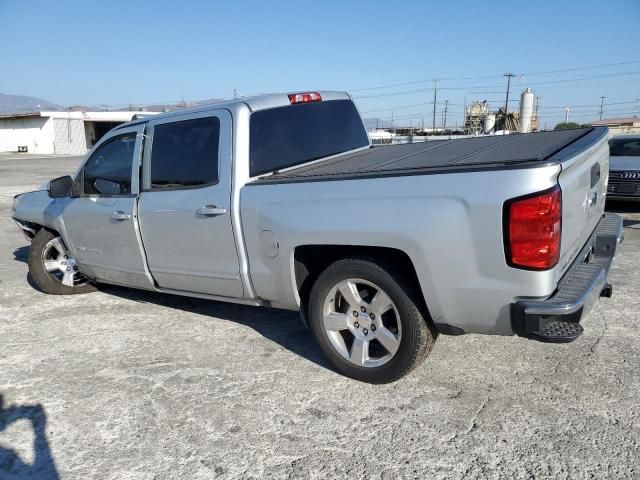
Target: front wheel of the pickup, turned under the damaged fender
53 268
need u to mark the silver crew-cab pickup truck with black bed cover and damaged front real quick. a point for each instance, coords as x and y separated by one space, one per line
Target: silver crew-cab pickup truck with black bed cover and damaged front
281 201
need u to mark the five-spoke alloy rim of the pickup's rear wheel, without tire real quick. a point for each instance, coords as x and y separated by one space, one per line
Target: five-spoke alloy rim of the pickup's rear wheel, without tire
362 322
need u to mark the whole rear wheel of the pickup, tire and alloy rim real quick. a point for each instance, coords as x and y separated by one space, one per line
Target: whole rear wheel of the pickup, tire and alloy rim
367 324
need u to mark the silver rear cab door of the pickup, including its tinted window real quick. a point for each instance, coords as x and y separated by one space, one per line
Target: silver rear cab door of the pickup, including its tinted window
185 204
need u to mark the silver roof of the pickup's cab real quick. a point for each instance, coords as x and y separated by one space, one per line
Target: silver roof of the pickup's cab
255 103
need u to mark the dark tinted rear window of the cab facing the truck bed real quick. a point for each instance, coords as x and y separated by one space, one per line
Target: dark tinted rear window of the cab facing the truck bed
283 137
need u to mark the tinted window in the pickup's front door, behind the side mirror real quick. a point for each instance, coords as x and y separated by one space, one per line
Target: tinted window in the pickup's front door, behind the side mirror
108 170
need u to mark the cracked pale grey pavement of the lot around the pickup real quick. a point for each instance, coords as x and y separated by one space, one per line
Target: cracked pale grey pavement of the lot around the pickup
123 384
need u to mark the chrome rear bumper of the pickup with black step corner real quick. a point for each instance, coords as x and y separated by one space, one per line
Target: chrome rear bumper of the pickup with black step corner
557 319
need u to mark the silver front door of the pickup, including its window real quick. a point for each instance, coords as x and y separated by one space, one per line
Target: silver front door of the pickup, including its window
100 220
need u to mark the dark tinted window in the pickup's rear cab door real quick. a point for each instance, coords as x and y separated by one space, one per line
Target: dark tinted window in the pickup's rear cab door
184 154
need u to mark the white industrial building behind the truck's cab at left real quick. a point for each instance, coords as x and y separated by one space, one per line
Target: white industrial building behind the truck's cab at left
62 133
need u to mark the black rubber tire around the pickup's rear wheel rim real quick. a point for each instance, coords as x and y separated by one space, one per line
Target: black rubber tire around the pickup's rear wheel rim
417 338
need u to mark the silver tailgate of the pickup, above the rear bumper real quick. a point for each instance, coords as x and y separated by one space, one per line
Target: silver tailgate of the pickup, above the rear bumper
583 178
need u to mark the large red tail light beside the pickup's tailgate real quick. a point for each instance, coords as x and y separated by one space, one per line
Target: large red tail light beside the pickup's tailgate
532 230
